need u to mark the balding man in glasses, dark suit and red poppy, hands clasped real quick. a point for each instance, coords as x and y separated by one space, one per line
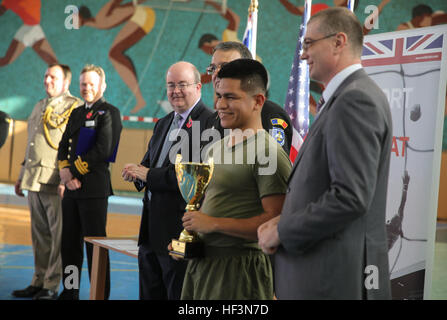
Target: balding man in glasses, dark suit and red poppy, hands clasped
161 277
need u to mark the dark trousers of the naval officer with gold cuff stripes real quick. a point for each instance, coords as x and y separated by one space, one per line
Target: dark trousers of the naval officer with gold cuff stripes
81 218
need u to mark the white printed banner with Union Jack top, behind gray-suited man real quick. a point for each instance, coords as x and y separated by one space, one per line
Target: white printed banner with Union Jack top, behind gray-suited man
410 67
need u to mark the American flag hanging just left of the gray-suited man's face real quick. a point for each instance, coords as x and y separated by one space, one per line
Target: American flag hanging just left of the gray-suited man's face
297 99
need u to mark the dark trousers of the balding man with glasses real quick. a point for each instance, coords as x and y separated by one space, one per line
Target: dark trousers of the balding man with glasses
161 277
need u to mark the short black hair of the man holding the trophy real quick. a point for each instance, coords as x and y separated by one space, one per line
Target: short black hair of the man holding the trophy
252 74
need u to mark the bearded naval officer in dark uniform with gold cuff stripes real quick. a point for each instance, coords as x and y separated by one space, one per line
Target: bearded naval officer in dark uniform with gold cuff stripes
88 145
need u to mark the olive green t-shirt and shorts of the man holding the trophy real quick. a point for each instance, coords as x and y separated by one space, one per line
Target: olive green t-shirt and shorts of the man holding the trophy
235 268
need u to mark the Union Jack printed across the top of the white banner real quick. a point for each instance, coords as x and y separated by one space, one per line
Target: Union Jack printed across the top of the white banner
402 50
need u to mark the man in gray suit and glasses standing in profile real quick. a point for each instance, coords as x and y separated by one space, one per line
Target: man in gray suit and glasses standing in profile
330 238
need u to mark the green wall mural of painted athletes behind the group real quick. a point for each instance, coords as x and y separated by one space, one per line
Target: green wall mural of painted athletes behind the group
136 41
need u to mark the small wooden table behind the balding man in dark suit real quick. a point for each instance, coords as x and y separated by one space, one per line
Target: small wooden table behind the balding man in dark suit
101 245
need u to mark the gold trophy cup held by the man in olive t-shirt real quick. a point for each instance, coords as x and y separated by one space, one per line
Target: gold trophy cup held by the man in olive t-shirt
192 178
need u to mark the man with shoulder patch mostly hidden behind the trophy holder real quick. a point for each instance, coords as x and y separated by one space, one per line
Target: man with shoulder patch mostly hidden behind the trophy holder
275 119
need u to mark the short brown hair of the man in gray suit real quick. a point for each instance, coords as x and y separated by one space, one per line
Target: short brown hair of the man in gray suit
341 19
